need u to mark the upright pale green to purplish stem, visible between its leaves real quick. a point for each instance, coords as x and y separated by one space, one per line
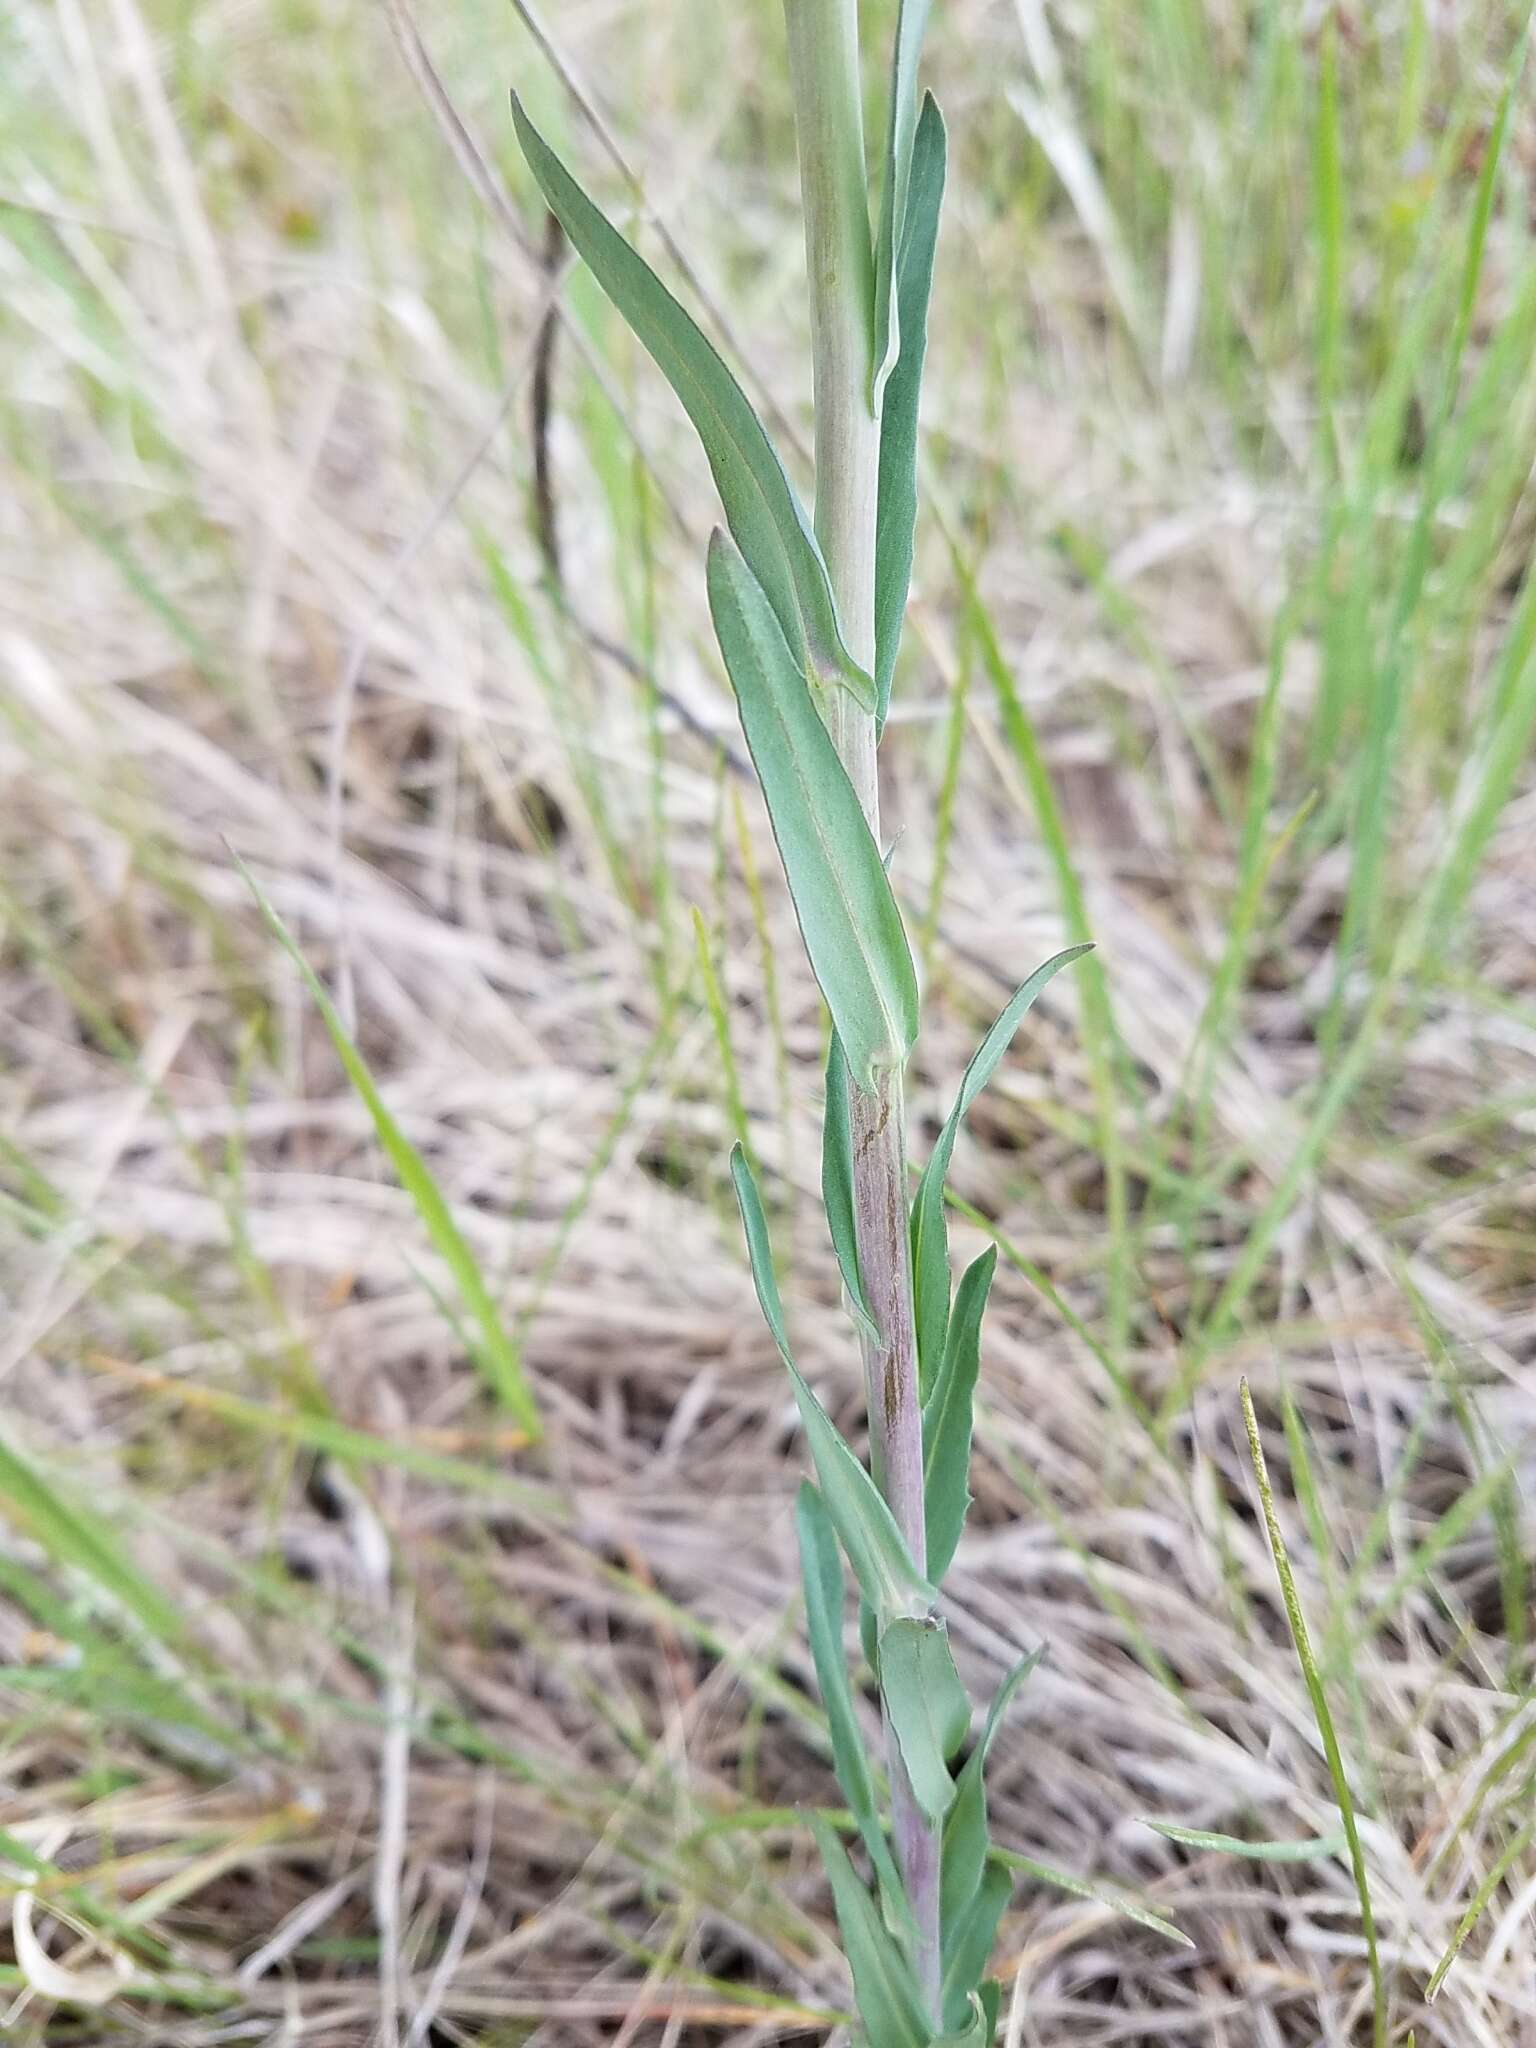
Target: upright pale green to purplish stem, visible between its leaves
828 112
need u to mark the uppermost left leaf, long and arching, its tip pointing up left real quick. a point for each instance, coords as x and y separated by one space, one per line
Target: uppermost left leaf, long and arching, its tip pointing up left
761 505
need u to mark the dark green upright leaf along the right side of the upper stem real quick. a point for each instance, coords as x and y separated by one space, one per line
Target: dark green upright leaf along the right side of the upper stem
896 519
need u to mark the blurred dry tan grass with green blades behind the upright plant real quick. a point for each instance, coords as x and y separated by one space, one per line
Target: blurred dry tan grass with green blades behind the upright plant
335 1709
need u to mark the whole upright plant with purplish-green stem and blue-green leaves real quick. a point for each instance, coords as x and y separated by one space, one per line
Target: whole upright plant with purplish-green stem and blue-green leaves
808 613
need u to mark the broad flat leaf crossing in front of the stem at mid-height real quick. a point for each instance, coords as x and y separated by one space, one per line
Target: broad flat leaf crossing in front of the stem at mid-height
837 878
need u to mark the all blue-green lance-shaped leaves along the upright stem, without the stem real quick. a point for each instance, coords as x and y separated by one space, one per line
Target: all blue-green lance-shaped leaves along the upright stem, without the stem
785 650
